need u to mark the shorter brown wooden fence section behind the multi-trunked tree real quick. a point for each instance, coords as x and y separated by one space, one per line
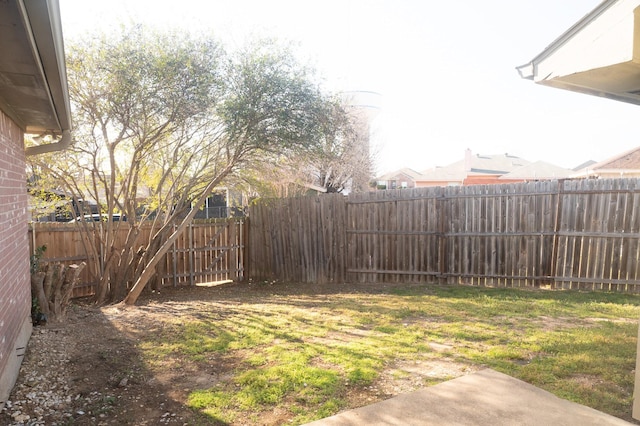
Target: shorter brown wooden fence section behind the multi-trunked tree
204 252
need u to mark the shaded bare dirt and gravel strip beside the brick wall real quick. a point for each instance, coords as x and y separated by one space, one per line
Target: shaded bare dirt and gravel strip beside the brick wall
87 370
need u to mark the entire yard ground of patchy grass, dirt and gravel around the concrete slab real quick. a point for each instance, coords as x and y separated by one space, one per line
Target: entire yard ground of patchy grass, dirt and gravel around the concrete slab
267 353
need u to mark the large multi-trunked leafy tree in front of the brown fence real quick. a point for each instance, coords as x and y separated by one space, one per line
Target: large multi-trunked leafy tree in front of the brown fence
161 120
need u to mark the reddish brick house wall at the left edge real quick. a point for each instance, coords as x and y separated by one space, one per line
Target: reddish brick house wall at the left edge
15 287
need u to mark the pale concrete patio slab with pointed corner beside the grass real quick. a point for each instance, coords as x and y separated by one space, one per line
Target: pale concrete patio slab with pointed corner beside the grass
483 398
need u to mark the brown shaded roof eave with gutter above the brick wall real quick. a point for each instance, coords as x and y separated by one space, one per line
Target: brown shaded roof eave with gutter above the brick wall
33 81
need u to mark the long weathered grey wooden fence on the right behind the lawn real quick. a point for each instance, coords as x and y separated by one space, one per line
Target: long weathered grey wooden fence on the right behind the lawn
579 234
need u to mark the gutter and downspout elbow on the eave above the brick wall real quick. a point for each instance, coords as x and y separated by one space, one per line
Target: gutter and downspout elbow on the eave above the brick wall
42 23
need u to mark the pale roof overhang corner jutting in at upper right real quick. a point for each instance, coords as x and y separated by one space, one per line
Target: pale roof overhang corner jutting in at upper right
599 55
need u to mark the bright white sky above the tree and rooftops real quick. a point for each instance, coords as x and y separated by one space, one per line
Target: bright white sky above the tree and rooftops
445 69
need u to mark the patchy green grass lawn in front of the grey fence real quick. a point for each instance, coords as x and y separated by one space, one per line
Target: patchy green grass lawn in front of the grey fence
307 355
